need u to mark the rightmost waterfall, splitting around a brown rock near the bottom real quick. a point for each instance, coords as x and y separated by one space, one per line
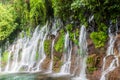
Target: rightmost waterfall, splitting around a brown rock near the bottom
110 51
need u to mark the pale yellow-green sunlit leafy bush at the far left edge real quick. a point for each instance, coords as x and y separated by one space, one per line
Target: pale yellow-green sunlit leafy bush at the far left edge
7 21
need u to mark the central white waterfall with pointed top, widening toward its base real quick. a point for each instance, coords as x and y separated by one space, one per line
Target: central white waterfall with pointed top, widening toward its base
67 55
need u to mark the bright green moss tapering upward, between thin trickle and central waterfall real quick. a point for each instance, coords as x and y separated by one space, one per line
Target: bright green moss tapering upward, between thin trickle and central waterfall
59 45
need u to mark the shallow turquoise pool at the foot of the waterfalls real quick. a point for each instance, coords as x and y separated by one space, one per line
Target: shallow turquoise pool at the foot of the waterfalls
33 76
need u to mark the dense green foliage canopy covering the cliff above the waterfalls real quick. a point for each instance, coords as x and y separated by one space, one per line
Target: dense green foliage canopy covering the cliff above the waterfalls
96 15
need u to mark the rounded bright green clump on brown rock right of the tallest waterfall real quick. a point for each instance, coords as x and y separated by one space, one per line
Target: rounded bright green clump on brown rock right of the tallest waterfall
99 38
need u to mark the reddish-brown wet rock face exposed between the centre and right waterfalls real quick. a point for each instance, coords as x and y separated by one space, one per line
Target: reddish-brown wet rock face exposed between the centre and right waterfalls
94 61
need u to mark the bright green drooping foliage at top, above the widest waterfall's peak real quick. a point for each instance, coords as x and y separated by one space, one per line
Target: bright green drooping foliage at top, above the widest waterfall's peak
37 11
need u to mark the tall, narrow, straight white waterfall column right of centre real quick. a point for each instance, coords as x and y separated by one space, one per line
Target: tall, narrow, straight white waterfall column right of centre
82 54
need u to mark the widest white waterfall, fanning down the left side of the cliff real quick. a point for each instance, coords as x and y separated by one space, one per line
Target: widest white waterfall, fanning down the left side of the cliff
27 53
